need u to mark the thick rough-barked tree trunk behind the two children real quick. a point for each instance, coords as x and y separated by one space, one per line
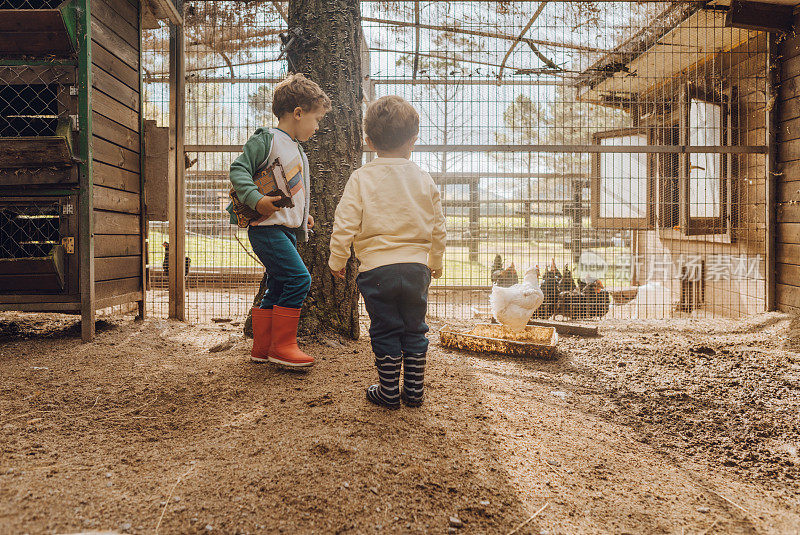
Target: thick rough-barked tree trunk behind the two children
329 52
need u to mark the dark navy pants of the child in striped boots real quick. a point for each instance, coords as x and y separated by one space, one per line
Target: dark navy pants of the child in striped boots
396 298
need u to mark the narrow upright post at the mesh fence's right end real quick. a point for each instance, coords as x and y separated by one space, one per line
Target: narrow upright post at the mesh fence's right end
770 300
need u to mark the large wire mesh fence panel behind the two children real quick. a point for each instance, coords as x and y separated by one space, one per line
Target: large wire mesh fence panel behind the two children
622 142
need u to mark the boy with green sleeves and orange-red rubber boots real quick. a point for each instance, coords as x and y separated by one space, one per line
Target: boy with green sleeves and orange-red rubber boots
299 104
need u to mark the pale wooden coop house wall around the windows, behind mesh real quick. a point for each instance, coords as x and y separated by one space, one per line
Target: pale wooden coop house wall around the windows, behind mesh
745 70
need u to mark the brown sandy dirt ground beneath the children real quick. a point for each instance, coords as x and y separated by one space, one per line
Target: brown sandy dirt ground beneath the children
690 427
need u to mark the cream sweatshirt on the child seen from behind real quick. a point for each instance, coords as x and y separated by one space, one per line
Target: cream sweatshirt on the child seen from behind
391 213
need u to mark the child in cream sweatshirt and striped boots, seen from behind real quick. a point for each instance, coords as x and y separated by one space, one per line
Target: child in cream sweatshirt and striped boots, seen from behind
391 213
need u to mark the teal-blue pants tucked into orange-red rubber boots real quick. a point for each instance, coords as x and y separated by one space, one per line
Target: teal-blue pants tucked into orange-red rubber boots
288 280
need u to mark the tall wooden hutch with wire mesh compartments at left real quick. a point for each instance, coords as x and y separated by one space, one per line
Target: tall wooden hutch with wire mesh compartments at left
72 202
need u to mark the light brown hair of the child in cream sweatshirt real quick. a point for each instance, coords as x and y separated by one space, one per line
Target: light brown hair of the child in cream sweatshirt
390 121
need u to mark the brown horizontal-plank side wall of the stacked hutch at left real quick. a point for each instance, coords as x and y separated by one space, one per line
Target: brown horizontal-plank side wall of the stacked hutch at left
115 123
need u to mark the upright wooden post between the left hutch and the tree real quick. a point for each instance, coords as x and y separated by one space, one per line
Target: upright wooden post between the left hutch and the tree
177 222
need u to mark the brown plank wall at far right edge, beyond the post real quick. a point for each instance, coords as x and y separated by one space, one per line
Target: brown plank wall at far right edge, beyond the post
787 186
